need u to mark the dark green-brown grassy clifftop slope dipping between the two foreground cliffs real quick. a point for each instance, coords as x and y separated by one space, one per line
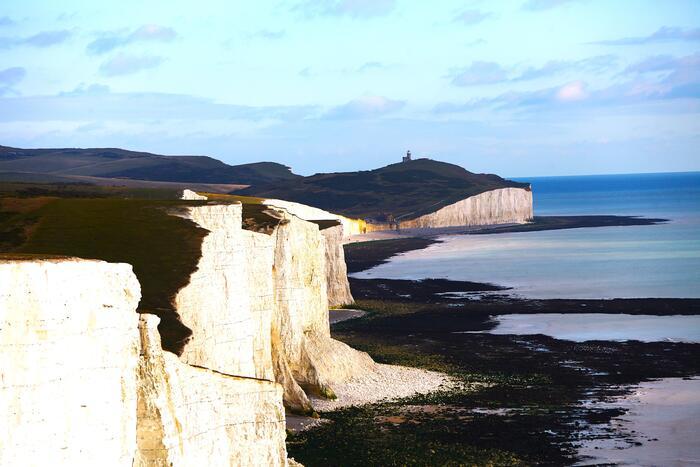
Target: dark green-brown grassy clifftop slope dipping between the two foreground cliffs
163 249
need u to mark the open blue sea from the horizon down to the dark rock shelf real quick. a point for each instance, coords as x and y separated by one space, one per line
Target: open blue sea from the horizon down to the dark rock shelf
605 262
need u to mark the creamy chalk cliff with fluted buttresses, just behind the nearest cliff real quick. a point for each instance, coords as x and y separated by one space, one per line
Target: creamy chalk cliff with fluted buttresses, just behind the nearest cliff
258 304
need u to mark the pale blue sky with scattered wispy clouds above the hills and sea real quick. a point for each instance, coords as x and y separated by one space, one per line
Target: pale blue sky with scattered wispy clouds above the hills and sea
514 87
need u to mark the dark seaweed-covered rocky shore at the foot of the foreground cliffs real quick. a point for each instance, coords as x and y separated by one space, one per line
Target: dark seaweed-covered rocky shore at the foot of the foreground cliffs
518 400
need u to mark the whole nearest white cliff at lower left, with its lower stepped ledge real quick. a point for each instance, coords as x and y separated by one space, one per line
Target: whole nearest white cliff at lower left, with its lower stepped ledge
84 380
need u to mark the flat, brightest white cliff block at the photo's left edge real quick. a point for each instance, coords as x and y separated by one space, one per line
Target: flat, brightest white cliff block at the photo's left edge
68 355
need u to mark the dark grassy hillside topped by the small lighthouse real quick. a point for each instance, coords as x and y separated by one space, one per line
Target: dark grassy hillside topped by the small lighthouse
400 191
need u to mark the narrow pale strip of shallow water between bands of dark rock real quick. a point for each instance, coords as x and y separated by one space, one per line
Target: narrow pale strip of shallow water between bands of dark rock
583 327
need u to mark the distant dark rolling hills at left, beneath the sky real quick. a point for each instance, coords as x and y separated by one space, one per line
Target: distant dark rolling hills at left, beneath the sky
123 164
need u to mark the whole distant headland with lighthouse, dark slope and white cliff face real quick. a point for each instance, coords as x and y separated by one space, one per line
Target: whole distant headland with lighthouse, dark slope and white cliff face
413 194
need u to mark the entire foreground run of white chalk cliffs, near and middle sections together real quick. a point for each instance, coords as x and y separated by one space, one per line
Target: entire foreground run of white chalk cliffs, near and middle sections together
85 381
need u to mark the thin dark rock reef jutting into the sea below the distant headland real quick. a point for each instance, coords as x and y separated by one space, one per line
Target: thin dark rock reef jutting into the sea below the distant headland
571 222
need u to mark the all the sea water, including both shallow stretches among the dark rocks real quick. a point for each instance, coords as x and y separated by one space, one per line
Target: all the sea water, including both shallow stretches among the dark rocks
602 262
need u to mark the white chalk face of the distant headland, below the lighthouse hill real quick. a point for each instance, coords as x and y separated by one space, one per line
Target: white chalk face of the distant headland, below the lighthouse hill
505 205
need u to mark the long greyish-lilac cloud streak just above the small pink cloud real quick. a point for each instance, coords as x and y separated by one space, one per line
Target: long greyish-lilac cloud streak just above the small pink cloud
481 73
